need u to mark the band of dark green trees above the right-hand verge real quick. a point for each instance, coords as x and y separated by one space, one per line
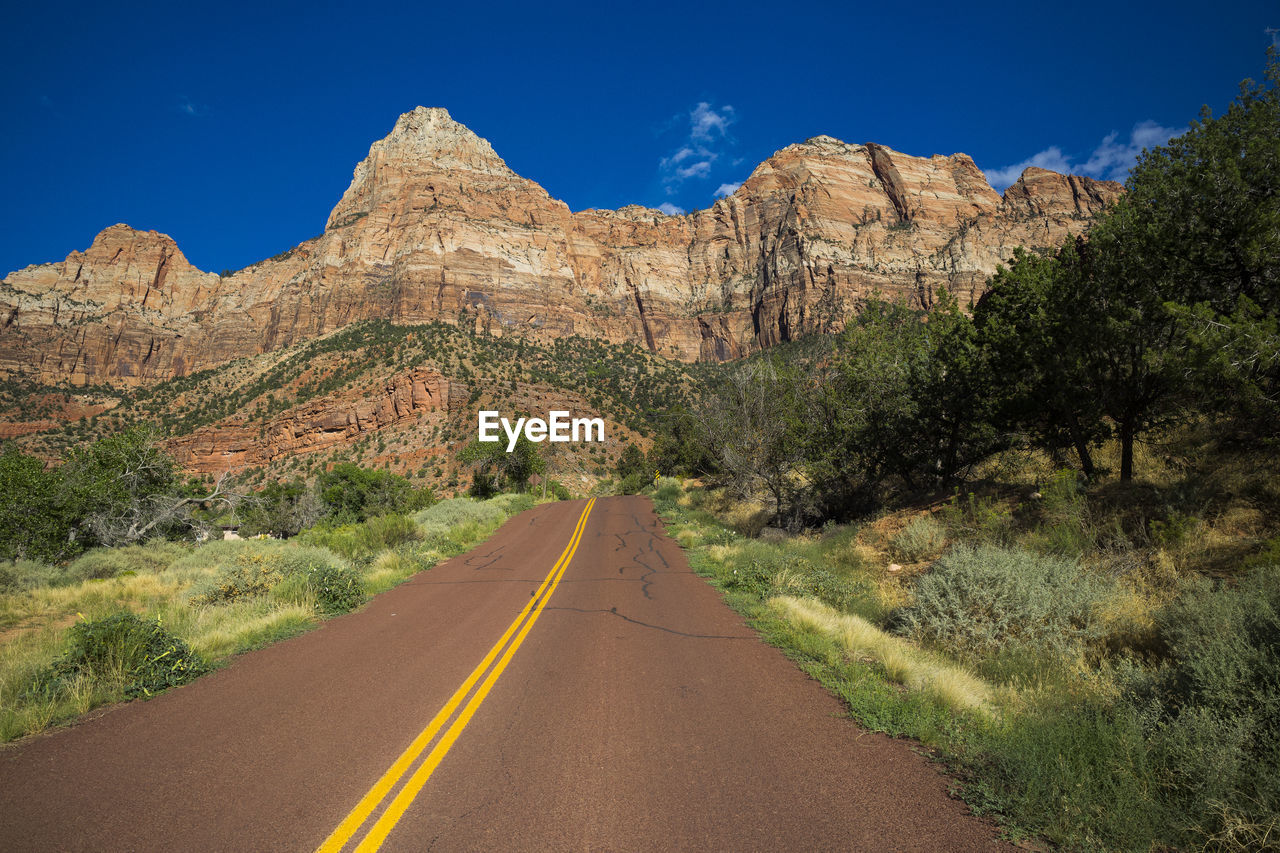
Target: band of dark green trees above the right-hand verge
1169 313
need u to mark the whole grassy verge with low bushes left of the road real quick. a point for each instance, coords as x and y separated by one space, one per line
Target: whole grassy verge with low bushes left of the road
121 623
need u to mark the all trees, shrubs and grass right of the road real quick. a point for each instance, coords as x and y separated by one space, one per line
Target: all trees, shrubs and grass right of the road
1044 540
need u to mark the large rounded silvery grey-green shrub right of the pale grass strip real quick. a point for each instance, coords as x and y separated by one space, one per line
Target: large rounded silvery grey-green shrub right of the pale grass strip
981 600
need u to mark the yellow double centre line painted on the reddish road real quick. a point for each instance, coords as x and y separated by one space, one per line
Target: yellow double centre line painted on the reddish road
383 787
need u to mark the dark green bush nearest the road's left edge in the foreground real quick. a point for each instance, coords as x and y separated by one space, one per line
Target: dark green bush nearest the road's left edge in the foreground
143 656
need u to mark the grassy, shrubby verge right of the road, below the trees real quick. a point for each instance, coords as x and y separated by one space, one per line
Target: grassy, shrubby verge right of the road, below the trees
1078 705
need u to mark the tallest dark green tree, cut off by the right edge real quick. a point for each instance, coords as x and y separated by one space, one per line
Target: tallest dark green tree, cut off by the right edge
1204 216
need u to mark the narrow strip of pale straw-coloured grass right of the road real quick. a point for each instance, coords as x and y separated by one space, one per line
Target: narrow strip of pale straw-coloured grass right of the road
903 663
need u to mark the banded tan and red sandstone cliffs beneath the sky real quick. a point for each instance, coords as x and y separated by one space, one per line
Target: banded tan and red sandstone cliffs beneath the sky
436 227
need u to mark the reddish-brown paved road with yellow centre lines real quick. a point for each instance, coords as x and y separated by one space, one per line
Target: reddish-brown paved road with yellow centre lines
587 691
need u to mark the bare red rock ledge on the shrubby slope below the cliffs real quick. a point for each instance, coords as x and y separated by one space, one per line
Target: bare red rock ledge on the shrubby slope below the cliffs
317 426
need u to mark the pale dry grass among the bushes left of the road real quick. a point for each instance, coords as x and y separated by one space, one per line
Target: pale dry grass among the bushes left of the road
162 582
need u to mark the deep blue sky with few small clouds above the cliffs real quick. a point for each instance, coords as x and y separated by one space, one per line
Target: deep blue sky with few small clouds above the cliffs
235 129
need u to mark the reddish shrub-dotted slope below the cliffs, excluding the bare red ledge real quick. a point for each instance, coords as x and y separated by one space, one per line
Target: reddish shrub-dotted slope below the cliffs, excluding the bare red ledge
628 386
